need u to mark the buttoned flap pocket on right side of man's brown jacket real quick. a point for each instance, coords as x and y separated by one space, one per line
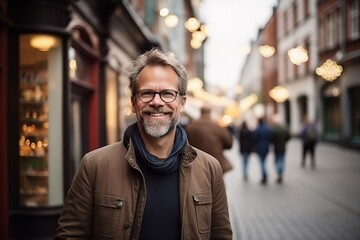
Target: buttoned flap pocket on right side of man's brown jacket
203 205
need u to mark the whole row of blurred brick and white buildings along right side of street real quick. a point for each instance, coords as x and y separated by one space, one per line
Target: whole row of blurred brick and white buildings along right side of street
315 65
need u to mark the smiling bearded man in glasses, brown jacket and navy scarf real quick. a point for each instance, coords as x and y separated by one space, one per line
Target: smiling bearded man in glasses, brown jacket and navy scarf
152 184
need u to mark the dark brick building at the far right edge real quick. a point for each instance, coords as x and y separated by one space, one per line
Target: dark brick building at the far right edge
338 70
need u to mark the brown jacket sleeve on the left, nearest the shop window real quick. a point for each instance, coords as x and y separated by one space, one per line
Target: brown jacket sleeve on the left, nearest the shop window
75 221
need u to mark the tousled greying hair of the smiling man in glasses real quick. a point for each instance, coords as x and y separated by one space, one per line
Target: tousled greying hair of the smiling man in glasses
156 57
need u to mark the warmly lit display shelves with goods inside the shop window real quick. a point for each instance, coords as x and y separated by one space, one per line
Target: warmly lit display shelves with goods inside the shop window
33 136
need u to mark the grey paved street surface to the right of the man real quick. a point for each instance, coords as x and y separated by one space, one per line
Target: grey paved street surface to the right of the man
311 204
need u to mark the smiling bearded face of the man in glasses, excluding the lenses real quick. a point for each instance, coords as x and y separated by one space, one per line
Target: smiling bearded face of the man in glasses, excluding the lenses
157 118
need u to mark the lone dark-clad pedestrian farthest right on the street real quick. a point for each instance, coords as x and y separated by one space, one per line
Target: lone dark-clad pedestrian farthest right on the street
309 136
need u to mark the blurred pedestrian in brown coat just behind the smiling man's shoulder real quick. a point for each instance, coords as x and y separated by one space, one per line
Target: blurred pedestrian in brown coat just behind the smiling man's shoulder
207 135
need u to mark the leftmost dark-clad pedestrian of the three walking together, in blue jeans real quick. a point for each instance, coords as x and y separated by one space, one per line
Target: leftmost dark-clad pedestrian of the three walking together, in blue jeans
246 147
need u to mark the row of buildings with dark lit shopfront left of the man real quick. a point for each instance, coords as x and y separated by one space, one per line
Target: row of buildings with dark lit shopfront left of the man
64 92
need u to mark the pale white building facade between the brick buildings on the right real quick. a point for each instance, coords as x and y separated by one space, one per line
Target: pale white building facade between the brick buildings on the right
298 59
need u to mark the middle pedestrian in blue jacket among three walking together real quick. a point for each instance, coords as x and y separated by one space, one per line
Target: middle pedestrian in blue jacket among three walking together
262 140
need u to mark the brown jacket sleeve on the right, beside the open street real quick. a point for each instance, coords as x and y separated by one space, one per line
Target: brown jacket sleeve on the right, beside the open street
221 227
